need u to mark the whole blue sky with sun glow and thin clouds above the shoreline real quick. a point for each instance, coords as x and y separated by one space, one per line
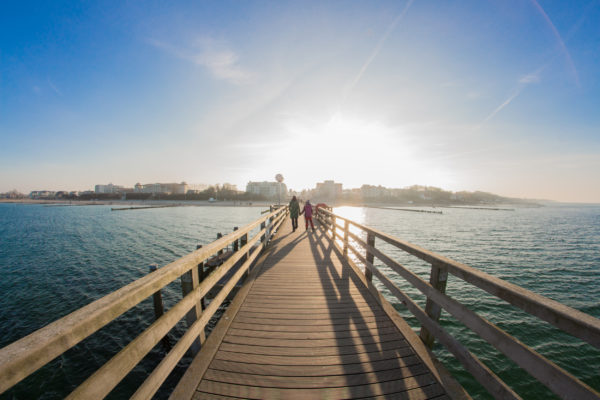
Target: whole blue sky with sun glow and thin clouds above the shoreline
500 96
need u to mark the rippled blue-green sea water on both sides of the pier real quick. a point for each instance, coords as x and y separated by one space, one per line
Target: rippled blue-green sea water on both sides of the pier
56 259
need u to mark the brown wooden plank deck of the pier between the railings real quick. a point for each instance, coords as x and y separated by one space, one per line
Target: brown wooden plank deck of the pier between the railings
305 325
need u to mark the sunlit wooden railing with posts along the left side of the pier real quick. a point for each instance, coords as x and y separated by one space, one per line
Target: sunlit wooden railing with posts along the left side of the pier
20 359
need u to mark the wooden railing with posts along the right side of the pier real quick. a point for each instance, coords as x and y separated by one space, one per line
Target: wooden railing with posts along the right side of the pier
576 323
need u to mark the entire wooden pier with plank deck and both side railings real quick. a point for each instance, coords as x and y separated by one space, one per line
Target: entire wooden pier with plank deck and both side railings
308 322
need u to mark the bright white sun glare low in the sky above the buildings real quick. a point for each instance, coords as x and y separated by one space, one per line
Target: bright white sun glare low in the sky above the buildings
356 151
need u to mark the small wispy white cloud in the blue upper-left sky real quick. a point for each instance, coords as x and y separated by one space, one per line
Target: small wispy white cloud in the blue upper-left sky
215 56
